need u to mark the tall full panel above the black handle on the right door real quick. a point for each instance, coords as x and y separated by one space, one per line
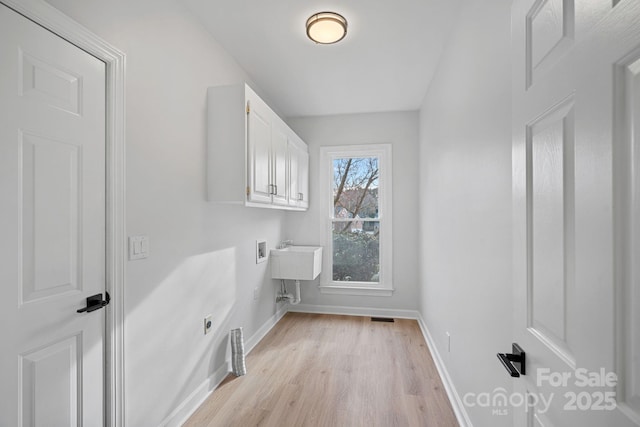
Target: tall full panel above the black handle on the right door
550 254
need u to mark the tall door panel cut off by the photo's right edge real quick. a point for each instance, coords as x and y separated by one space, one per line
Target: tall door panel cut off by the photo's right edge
626 158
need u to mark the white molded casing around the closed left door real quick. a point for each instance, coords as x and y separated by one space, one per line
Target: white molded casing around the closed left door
52 19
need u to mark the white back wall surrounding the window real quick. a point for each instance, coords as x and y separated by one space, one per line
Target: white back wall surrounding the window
401 130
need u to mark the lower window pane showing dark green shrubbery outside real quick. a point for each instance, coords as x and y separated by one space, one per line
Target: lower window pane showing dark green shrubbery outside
356 251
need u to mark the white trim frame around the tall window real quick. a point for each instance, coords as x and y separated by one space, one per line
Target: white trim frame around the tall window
385 286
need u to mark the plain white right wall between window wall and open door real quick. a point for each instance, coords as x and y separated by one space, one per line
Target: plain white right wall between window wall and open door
465 210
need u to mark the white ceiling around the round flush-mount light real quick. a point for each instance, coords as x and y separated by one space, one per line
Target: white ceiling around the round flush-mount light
385 63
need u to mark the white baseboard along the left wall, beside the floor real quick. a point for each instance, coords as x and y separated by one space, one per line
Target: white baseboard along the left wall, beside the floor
182 413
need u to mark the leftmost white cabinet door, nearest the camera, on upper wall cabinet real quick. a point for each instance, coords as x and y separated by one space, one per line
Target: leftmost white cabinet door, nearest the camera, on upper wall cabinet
259 153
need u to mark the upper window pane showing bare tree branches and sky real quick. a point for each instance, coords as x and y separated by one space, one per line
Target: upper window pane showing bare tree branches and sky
355 187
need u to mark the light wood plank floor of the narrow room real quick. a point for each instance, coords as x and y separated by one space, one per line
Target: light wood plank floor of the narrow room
326 370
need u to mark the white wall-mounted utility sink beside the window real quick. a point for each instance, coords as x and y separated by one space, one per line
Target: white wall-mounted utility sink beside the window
296 262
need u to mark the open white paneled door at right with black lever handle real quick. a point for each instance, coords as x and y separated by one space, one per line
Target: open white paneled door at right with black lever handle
574 68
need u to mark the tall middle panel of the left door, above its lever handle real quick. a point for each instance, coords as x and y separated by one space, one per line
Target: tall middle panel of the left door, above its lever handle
59 267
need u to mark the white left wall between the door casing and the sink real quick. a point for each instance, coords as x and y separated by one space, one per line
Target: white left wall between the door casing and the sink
202 255
